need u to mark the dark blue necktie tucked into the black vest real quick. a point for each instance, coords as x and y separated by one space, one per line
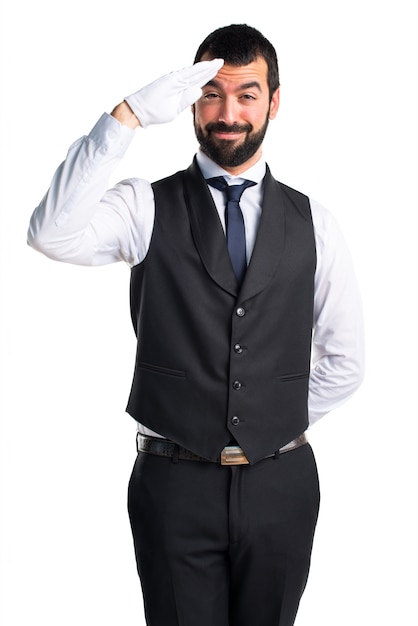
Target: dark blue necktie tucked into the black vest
235 228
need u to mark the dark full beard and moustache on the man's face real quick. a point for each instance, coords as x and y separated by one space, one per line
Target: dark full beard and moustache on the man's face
227 153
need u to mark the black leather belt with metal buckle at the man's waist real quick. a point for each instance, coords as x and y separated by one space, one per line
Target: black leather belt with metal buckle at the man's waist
230 455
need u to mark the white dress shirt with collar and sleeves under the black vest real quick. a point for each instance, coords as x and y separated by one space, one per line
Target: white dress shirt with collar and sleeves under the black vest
81 221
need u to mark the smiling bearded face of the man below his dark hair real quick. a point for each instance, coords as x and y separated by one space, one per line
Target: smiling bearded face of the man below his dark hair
232 116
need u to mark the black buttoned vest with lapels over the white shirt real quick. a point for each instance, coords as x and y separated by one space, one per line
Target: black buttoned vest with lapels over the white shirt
214 362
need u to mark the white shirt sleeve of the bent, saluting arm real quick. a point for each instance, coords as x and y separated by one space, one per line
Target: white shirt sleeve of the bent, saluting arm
80 220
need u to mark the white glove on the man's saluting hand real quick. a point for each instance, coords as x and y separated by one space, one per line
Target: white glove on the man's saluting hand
162 100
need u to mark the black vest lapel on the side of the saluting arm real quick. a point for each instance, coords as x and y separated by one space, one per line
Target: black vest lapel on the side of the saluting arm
207 230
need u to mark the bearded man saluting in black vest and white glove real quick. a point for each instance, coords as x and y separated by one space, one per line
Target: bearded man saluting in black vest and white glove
224 496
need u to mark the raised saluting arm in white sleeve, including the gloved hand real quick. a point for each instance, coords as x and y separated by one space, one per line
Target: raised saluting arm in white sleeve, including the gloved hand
80 220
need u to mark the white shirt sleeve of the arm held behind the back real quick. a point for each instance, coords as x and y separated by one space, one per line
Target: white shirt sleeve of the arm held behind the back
338 336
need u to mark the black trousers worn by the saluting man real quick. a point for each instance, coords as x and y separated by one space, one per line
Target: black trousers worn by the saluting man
223 546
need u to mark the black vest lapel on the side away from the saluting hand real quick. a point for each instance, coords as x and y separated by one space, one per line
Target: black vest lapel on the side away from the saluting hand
269 242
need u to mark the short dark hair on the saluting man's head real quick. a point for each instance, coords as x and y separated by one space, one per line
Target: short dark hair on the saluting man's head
240 44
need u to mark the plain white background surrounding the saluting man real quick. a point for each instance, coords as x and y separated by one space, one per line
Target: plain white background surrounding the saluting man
346 135
